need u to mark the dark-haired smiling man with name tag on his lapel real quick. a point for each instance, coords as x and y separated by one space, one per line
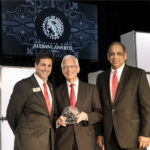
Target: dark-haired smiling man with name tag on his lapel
28 115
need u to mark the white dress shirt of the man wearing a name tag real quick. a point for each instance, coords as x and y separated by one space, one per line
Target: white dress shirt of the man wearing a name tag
40 82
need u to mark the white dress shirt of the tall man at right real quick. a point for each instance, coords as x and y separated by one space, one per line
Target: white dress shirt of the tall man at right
119 73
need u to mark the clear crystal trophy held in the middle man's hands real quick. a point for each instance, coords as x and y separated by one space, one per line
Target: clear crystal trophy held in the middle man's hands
71 114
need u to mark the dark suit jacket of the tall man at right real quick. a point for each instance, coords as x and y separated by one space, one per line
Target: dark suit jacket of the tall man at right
130 113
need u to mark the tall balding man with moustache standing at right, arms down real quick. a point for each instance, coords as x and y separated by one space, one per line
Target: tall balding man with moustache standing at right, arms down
126 119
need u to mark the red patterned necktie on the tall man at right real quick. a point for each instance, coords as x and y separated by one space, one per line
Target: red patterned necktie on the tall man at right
114 85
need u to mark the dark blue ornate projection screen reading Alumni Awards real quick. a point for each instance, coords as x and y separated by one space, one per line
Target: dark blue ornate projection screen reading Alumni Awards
58 26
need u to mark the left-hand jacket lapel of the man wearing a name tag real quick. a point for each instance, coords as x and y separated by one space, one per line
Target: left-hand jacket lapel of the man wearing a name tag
40 96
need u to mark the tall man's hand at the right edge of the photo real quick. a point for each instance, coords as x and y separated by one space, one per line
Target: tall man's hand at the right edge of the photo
143 141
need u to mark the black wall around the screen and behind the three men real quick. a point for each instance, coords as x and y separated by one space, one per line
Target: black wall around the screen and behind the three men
114 19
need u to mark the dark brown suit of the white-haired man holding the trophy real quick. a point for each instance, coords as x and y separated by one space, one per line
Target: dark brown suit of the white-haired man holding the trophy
84 134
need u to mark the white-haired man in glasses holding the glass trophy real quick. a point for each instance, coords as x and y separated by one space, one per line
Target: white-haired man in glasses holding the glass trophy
82 135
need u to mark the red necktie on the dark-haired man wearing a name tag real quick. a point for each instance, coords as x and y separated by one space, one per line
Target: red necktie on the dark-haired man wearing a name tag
47 100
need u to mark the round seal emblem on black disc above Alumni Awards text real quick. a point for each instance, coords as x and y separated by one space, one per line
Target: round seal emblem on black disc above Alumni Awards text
52 26
